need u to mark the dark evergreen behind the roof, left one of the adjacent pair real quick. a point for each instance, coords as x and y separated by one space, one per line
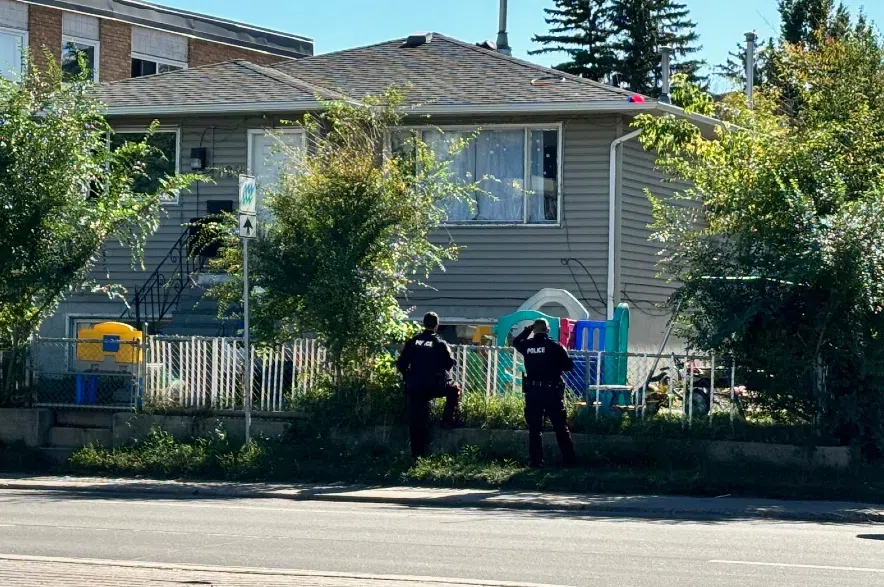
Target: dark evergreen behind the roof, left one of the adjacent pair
581 29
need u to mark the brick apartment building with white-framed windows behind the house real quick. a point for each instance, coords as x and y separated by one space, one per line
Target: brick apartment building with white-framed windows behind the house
130 38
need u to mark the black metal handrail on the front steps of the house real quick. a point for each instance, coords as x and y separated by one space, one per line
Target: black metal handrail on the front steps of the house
161 292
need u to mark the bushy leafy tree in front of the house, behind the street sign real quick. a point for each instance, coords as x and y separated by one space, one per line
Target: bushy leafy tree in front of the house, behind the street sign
350 234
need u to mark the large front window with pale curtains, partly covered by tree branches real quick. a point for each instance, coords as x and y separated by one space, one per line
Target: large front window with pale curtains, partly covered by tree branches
517 168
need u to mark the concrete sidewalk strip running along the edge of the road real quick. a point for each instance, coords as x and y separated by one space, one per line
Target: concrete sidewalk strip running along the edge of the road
702 508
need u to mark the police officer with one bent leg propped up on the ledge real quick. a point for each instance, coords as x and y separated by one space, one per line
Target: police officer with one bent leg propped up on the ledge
425 363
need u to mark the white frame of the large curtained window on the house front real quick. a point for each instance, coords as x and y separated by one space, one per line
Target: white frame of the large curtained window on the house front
528 127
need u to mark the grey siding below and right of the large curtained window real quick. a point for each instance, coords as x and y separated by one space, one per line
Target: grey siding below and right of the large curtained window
500 267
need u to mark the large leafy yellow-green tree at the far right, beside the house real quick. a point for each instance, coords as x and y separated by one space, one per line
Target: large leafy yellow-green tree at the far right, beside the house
778 243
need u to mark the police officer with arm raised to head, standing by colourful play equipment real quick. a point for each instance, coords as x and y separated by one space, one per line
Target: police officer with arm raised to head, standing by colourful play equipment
545 361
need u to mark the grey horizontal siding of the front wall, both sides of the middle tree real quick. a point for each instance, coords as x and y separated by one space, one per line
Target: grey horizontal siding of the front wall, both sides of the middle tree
499 267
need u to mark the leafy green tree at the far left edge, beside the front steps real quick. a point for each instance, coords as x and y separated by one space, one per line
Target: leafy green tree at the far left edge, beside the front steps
62 195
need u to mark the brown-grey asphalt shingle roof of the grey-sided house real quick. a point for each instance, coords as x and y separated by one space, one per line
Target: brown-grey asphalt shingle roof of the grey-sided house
443 72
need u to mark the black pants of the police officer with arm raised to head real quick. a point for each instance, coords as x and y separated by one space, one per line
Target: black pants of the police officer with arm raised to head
543 401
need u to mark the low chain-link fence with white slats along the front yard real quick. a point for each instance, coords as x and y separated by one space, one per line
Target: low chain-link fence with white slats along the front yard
205 373
